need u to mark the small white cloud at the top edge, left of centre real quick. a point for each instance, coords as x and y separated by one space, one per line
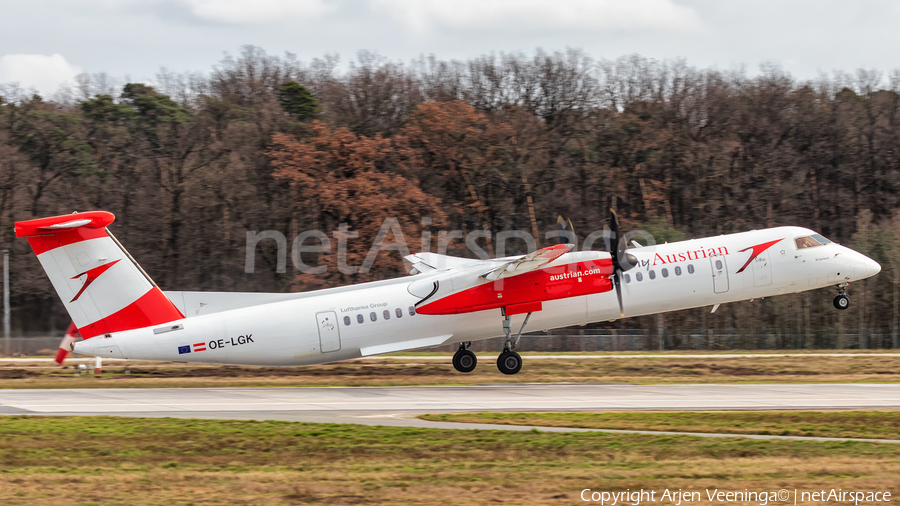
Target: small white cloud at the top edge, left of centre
257 11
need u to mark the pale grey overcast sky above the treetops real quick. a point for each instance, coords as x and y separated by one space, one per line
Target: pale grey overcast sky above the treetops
46 42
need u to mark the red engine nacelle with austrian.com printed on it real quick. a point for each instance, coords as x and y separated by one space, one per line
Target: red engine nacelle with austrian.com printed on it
560 282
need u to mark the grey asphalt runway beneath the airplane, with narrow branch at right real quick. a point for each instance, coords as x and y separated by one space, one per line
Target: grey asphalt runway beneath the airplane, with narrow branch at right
399 406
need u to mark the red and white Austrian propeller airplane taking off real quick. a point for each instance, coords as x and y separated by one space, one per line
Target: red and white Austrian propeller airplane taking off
121 313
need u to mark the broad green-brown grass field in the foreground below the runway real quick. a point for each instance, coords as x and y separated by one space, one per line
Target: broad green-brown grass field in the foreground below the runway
163 461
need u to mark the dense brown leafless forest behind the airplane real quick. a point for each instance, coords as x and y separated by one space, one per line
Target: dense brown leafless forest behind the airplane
192 162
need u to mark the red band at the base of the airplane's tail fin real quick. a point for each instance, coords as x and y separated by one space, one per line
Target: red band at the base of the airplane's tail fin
152 308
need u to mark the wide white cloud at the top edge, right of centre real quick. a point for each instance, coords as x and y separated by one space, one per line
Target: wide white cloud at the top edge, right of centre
537 16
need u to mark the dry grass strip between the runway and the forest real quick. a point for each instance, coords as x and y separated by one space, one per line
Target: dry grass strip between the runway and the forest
774 368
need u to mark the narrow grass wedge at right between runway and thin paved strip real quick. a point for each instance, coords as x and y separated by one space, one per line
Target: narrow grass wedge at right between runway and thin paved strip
850 424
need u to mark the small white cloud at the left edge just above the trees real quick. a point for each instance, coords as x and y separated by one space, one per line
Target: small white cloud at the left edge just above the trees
39 71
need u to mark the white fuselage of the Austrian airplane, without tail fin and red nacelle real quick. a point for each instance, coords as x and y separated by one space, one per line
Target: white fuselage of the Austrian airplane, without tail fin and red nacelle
372 318
